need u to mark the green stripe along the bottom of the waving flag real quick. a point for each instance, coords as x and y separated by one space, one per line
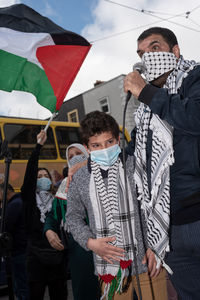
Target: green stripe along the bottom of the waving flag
16 73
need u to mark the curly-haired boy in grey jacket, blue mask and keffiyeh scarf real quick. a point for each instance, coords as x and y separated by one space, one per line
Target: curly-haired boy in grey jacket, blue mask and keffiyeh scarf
114 228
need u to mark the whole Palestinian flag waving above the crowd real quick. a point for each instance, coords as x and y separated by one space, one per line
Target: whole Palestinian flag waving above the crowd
38 56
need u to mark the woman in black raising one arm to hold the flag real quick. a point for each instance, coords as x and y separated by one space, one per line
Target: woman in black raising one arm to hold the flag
46 266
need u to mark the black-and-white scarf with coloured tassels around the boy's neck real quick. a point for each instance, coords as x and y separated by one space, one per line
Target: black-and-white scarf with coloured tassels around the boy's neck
111 219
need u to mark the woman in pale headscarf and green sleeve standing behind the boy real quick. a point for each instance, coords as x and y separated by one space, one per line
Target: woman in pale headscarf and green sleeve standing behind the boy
84 283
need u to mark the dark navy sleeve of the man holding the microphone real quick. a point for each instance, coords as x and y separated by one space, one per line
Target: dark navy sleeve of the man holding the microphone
181 110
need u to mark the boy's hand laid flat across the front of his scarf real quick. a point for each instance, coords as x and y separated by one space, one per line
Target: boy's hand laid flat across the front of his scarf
106 251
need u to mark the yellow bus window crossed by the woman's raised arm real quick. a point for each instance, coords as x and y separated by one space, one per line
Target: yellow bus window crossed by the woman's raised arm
22 140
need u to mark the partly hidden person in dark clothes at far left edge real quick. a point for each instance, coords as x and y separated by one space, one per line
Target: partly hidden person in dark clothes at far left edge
15 227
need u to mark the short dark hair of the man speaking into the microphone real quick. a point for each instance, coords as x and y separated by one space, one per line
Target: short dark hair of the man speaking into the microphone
166 33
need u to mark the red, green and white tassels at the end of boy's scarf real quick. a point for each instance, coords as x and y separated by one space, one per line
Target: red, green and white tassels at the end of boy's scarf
114 284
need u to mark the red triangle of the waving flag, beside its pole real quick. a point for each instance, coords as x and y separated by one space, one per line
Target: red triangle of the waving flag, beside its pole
61 64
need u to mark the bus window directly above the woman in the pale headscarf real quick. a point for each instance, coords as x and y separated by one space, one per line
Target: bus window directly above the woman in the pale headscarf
65 137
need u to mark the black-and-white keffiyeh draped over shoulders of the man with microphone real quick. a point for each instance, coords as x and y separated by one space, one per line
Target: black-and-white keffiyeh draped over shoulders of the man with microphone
156 202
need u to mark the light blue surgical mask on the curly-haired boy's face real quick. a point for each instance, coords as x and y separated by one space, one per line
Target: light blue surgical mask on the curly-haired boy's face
107 156
